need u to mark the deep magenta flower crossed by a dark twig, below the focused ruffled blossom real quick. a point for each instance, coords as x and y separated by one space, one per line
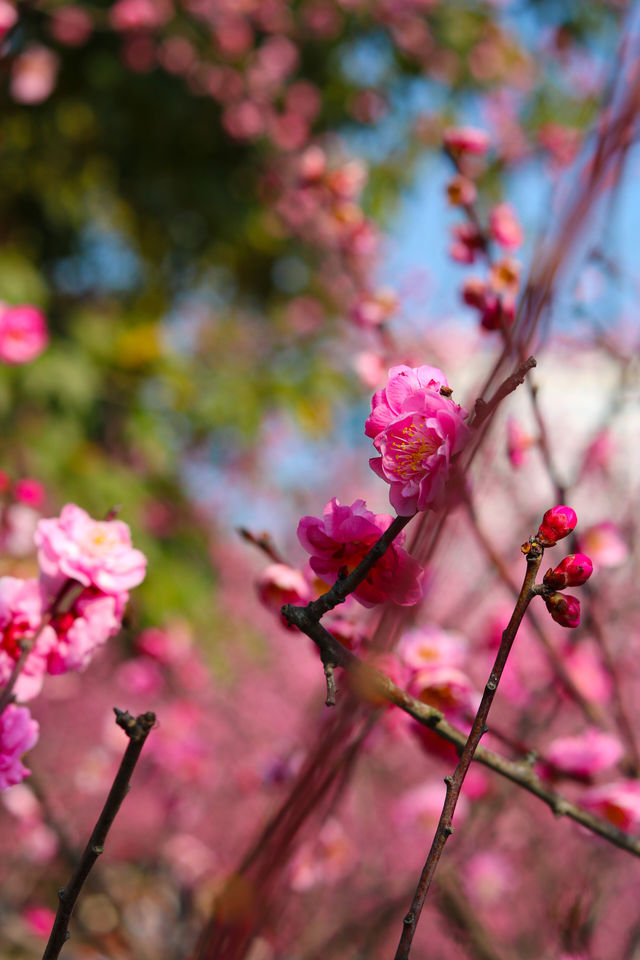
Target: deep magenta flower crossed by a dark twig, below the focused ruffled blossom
340 540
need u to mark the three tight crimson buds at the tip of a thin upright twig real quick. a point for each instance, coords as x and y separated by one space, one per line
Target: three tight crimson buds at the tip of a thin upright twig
573 571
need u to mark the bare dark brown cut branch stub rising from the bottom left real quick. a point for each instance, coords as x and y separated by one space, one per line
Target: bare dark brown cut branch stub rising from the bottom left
137 729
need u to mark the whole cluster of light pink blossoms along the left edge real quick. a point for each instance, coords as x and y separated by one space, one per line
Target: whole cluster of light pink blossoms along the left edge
54 623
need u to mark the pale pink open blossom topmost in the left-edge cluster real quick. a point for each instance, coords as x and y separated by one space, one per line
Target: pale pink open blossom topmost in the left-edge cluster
96 553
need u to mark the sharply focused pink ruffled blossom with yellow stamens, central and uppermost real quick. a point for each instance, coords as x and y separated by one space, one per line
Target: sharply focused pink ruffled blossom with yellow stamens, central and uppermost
417 429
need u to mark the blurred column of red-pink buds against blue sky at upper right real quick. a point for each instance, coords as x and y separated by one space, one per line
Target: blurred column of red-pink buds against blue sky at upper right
493 297
